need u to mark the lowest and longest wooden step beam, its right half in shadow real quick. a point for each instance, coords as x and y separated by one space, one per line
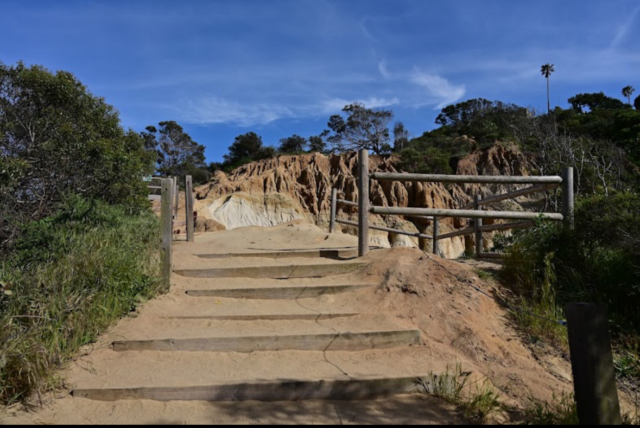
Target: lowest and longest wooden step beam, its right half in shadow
286 390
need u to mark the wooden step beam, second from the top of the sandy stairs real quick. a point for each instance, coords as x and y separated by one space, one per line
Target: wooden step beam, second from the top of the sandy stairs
274 271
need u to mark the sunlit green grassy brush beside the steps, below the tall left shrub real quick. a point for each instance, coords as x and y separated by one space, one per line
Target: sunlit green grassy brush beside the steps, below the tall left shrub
70 276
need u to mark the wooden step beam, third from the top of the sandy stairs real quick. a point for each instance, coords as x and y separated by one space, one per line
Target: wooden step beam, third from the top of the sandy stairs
293 292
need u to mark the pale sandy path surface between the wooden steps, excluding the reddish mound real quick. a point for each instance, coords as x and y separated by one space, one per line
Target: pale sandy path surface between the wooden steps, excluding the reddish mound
179 316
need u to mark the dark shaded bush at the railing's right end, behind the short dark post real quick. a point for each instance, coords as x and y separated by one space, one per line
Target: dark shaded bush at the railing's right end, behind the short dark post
598 261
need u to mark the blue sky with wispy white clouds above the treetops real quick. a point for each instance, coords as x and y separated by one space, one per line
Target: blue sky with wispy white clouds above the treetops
222 68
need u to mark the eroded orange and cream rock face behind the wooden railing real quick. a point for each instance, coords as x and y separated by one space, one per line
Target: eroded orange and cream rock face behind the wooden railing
286 188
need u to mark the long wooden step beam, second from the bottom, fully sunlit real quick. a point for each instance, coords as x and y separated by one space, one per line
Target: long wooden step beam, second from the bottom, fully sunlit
299 342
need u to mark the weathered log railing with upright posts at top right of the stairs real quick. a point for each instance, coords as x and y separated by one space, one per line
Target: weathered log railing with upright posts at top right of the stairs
472 211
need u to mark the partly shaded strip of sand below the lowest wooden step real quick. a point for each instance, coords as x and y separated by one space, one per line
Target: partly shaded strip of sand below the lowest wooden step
402 410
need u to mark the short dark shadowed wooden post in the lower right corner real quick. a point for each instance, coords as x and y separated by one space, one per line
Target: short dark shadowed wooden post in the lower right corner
594 378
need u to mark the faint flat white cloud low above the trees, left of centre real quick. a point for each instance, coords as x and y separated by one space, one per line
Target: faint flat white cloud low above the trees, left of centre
212 110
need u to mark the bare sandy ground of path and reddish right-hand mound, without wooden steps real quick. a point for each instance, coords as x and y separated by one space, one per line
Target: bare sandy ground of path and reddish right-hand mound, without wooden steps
407 289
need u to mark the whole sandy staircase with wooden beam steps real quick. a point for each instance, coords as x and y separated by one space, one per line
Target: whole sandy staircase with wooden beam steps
265 326
